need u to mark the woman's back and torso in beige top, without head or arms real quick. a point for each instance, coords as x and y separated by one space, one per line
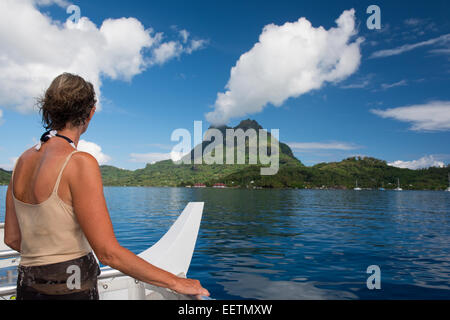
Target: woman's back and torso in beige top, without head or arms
49 228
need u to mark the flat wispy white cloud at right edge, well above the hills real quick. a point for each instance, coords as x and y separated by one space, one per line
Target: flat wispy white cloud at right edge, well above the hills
433 116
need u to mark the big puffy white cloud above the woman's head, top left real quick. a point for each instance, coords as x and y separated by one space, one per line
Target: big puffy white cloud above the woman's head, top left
35 48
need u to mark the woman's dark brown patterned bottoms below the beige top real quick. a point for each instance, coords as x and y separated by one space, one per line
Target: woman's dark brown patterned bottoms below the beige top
69 280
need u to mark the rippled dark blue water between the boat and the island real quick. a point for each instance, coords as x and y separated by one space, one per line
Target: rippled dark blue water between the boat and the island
299 244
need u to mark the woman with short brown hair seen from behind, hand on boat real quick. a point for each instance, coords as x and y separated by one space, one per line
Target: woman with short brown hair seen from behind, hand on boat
56 211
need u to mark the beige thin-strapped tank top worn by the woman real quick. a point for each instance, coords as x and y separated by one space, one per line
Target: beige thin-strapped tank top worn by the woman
50 231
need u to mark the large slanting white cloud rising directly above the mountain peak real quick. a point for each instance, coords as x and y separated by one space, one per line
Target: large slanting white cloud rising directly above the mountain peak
288 61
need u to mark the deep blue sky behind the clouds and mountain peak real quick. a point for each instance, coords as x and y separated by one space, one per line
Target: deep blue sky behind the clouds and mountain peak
358 115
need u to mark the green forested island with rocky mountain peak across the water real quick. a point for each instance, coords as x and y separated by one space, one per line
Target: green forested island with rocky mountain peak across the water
370 173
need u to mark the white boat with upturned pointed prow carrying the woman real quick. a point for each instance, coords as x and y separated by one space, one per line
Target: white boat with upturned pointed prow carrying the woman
173 253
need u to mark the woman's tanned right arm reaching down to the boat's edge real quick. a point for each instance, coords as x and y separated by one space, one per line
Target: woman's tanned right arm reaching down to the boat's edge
90 207
